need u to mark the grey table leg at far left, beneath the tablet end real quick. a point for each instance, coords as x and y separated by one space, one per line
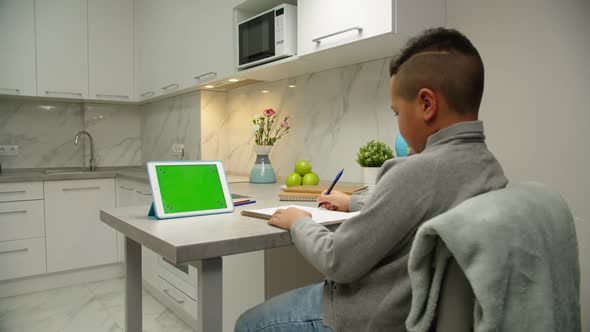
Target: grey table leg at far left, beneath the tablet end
133 316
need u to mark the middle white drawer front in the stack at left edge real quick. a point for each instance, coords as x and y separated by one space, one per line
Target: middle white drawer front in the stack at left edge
21 220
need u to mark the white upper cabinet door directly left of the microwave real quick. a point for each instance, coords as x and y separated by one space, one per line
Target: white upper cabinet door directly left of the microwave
210 41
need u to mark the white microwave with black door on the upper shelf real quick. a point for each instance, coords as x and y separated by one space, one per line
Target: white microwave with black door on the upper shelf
266 37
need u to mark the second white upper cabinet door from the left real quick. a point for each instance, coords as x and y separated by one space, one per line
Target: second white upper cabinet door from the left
62 48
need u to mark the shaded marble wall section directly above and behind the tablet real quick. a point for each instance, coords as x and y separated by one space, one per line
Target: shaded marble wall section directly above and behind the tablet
169 121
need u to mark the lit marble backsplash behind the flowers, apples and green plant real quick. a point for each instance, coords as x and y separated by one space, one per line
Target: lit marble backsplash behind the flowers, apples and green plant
331 113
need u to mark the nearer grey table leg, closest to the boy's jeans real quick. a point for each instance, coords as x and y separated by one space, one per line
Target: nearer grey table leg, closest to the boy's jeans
210 294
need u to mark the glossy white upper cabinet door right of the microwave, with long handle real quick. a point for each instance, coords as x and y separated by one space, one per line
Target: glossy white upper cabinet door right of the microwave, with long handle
328 23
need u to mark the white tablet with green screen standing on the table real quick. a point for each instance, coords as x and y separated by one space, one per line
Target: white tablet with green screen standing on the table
189 188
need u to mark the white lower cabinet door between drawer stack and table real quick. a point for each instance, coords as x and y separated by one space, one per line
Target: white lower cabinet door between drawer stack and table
75 236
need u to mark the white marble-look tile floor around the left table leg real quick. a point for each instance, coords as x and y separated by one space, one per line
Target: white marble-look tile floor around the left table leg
93 307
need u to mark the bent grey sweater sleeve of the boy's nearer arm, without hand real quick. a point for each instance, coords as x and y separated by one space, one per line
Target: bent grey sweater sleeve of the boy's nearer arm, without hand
401 199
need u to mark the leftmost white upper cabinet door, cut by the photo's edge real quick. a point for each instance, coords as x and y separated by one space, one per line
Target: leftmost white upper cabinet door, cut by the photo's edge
17 47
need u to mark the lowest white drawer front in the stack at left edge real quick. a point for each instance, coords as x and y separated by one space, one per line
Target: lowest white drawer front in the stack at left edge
22 258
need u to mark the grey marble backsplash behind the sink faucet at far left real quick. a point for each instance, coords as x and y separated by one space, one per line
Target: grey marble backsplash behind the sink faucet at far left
44 132
